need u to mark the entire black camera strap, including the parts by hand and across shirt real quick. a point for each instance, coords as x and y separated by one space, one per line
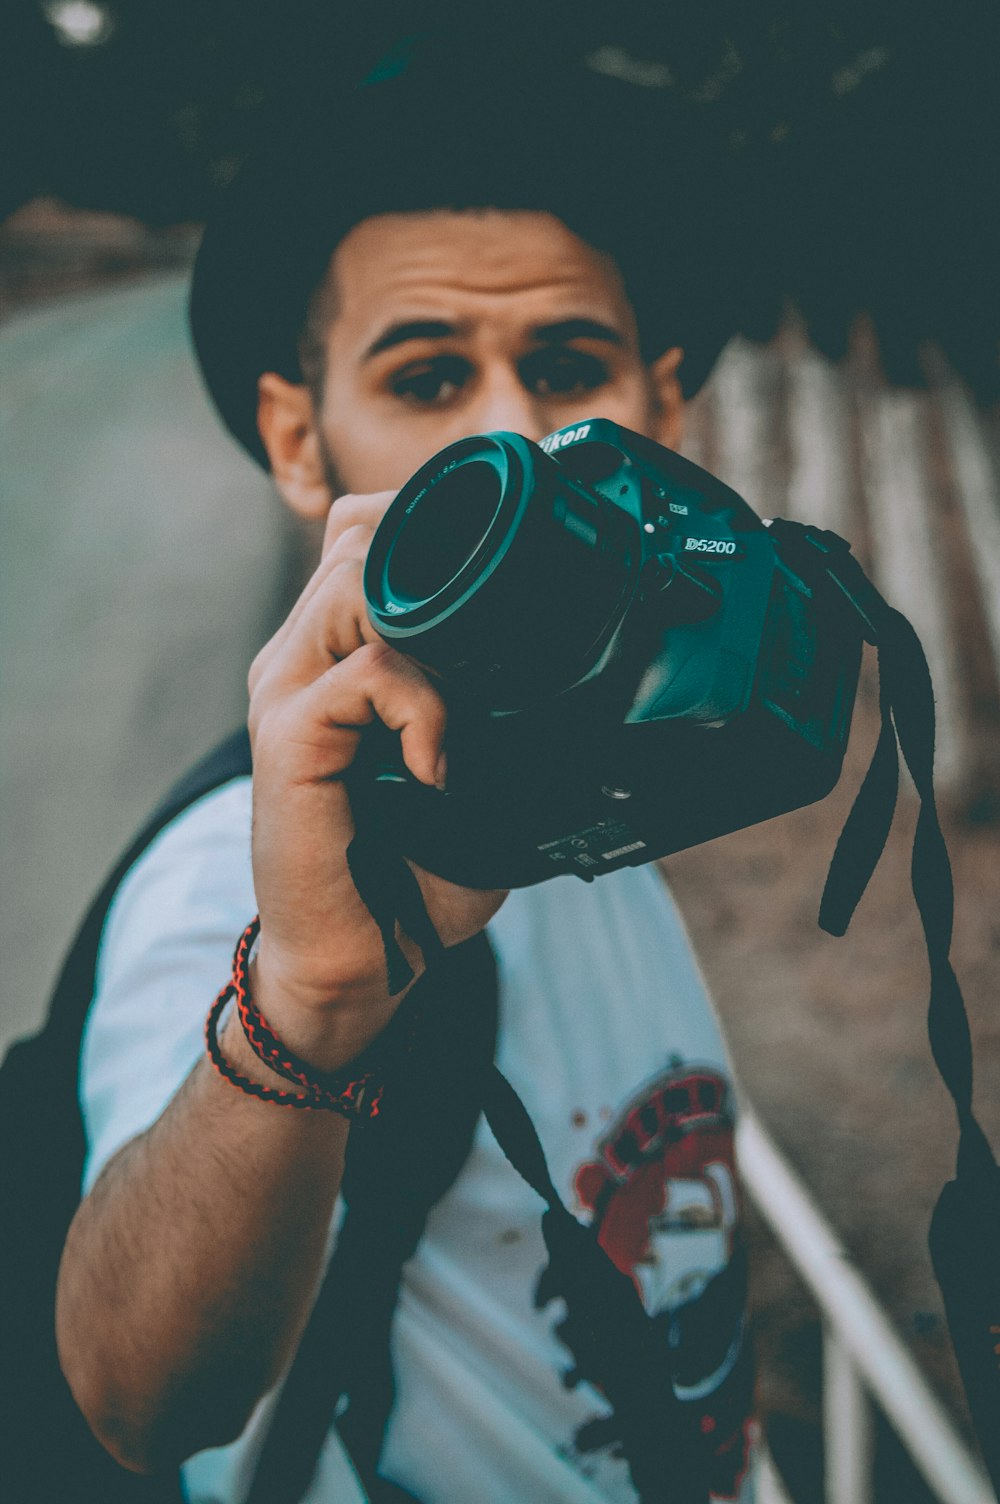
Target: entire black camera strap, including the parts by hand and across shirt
605 1314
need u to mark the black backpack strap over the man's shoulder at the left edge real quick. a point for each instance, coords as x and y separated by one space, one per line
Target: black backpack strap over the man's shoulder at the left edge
49 1449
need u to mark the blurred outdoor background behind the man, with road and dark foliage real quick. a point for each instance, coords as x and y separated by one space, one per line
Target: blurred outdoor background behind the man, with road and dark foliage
145 560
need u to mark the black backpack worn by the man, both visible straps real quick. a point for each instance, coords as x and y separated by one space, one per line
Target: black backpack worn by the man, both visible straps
50 1455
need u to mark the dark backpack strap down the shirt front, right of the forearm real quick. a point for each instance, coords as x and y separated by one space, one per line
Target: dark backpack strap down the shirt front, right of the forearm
399 1166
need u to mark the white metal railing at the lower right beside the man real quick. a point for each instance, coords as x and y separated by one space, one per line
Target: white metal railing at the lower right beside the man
864 1359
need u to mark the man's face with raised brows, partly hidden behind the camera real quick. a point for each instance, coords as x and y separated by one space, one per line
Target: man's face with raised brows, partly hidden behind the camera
449 324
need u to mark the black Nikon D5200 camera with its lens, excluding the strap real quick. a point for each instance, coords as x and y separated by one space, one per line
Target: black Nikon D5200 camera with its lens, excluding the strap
629 666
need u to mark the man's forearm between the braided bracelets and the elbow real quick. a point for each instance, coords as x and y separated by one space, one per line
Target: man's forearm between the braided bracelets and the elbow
192 1266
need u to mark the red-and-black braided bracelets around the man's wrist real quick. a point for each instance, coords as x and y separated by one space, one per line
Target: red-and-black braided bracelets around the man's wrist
351 1093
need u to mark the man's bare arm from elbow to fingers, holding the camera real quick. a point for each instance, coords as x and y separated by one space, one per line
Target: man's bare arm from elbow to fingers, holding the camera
190 1269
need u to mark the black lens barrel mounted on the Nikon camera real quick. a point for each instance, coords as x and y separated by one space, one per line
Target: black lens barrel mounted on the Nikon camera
500 572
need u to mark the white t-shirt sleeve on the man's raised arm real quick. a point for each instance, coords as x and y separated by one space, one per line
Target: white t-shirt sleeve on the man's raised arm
165 954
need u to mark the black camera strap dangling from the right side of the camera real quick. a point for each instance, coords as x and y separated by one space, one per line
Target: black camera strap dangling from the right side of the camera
965 1236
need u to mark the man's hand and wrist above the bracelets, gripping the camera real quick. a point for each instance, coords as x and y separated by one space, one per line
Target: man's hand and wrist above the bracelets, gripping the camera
324 678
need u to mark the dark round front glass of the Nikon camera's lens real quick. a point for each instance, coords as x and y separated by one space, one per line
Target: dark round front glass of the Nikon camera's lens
443 535
